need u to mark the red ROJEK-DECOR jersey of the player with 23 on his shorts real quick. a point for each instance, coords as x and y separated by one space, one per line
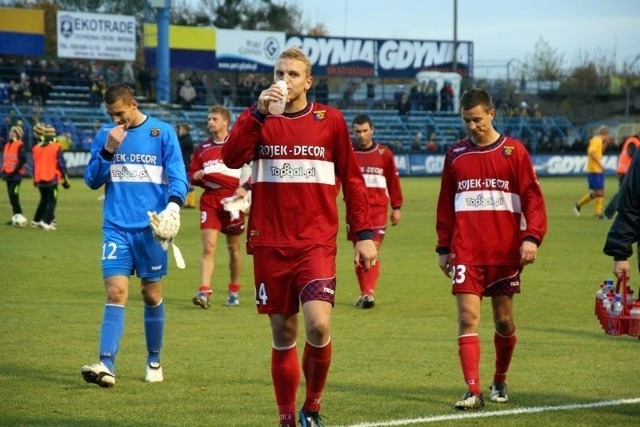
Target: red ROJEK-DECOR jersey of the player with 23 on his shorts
490 201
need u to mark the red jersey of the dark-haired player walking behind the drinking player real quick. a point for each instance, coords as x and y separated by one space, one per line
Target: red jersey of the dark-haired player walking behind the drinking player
378 167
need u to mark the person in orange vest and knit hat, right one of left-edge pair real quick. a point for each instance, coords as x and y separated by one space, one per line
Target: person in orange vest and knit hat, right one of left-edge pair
48 169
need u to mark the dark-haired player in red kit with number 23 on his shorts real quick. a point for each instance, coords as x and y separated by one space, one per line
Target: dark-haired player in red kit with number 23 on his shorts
491 219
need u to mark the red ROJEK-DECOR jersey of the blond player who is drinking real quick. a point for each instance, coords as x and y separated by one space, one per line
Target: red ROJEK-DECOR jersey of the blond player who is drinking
296 158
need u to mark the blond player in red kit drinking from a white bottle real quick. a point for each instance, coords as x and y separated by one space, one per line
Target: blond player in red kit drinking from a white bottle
293 224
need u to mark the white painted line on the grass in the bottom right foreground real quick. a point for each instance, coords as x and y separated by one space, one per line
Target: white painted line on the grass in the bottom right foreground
481 414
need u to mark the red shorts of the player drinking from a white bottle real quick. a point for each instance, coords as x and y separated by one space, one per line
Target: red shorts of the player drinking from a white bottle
287 277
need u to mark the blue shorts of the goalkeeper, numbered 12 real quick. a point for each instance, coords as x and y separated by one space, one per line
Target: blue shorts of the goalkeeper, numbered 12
125 252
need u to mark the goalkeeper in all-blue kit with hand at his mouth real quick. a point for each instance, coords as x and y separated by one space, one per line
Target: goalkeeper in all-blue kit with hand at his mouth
138 160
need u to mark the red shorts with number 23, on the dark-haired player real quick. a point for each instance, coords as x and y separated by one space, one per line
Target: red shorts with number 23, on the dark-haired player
486 280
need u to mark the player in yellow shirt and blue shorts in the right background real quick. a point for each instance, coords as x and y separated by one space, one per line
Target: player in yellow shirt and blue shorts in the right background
595 172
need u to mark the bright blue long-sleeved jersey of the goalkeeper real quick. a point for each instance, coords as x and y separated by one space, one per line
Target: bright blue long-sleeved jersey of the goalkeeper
144 174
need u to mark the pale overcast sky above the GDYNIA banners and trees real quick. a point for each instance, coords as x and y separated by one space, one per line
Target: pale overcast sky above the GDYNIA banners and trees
501 30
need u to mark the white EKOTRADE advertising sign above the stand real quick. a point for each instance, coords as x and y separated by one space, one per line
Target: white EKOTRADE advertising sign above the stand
96 36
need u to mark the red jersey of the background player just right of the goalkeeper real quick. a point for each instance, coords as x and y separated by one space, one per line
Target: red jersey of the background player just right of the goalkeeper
218 177
